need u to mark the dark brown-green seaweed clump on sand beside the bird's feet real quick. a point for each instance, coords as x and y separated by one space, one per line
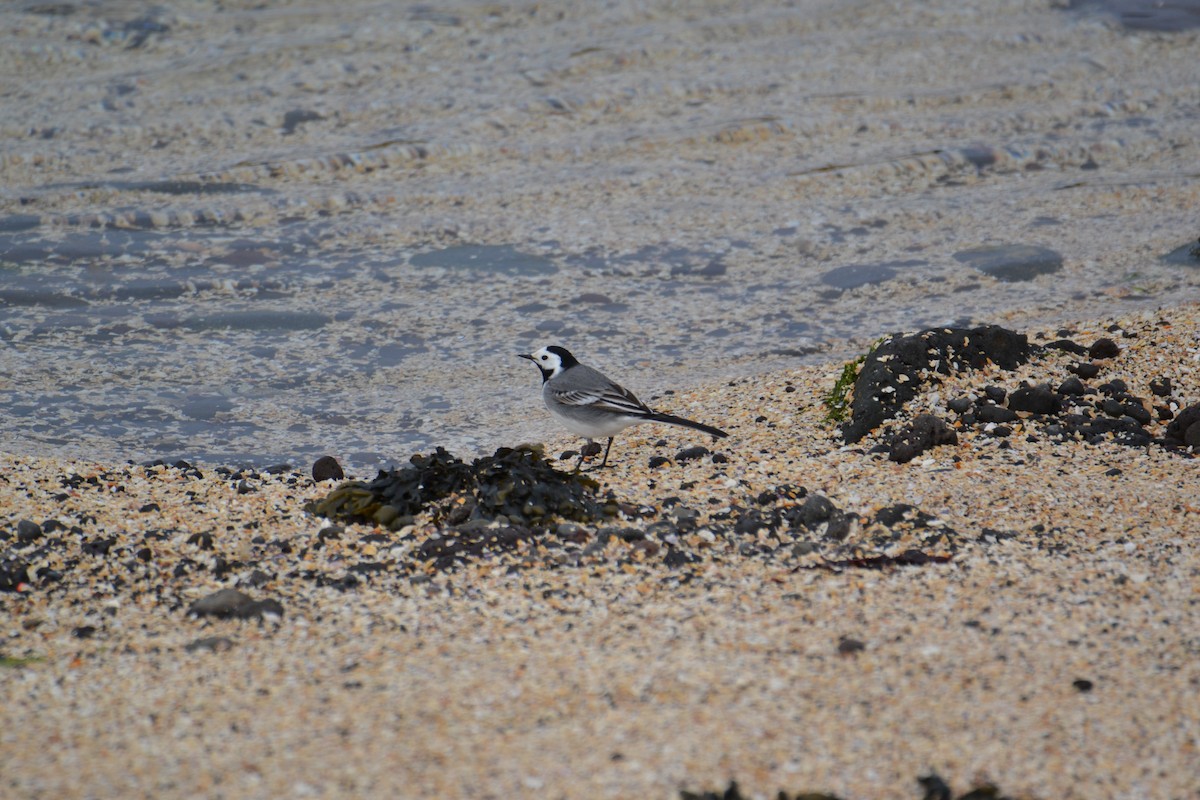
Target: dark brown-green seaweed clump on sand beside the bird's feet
514 483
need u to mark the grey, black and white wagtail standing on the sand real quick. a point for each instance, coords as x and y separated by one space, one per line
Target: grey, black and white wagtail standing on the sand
591 405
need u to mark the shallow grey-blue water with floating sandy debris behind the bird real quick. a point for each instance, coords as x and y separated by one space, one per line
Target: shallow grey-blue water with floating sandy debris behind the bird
259 236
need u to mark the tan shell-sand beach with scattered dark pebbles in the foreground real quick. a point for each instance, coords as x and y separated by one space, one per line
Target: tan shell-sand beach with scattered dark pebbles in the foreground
1051 655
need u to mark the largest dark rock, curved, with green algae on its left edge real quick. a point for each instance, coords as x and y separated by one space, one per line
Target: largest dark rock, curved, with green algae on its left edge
879 392
